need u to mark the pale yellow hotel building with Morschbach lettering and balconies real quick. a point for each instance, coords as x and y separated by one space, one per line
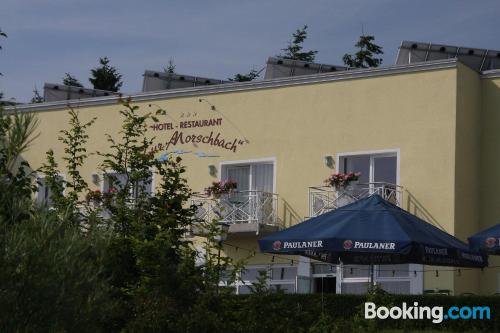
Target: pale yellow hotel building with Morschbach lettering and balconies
423 134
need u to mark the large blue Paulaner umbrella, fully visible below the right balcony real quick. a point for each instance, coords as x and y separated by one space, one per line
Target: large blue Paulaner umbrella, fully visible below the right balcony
372 231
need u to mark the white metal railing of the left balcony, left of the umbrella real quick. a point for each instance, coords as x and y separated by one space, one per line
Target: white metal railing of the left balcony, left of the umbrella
239 207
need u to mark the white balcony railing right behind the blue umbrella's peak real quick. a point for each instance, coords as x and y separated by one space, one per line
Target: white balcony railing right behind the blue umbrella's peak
326 198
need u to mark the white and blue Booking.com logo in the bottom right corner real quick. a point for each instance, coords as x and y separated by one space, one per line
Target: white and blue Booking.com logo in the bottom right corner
436 313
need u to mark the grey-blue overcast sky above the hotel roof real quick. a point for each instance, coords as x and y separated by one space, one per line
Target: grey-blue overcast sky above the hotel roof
47 38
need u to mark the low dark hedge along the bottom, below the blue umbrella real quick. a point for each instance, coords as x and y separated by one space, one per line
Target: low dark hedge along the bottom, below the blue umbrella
298 313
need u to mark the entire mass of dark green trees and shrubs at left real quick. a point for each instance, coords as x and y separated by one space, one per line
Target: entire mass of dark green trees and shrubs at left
124 266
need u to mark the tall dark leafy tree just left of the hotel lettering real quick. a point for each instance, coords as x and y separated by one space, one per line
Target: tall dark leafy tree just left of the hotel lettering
157 279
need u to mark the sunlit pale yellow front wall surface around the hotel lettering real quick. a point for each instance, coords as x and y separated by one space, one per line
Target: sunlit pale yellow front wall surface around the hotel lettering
414 113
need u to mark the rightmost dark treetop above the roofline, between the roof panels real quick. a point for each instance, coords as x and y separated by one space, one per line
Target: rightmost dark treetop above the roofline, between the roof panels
365 57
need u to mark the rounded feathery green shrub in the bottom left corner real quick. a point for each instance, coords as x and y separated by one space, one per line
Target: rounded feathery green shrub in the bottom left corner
52 277
